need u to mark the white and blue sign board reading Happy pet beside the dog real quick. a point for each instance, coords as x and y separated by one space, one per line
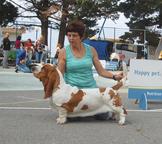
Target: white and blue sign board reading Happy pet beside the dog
145 81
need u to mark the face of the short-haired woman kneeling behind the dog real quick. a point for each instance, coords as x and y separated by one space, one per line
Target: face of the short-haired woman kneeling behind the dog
73 38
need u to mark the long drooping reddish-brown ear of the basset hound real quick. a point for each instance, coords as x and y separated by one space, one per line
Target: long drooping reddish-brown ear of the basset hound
53 82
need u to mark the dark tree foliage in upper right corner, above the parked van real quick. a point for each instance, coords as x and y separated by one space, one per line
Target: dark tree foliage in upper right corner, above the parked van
146 15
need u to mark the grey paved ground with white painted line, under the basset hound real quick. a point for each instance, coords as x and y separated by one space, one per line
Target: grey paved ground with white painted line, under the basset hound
25 118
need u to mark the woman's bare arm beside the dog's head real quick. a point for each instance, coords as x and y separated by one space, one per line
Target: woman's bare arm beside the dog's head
62 60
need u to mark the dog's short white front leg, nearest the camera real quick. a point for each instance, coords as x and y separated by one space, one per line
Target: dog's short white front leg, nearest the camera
62 116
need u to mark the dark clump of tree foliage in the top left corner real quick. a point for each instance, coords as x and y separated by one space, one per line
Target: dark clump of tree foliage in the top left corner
8 12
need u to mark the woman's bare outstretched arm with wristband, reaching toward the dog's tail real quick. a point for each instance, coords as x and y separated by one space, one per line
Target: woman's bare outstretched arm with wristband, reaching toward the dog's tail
101 71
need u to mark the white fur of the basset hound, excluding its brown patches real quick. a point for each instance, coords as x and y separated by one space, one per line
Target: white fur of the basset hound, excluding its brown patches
97 101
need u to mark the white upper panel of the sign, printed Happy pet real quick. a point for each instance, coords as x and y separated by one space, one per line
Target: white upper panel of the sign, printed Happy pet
145 73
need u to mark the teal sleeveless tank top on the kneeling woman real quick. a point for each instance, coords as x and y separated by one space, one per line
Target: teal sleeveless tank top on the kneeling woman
78 71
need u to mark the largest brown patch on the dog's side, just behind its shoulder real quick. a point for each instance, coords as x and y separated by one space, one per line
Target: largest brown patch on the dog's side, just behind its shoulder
74 101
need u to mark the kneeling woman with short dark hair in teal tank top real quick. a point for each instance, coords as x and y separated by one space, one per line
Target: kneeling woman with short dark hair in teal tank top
75 61
